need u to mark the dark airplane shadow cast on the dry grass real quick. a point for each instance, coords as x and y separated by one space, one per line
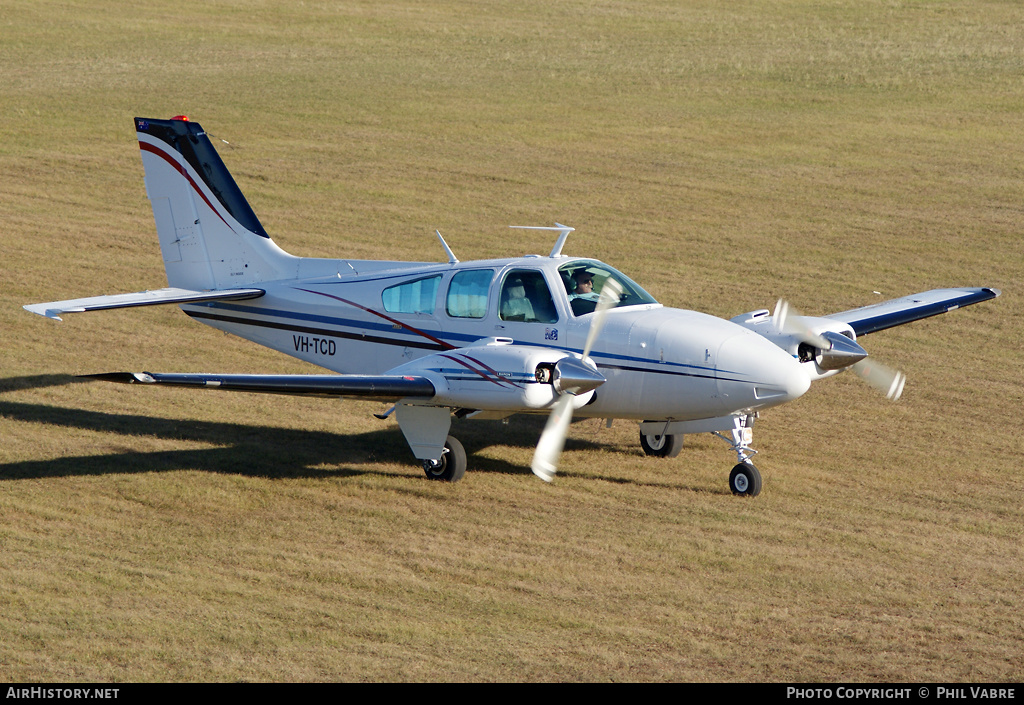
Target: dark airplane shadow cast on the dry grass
245 449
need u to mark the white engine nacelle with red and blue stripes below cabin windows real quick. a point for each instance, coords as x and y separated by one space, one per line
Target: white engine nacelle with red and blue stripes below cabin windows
496 376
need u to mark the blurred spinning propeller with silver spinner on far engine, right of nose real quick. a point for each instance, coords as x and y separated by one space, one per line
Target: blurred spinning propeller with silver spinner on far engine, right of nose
835 352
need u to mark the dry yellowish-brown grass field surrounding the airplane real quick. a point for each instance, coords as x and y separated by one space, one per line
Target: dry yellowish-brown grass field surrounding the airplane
722 154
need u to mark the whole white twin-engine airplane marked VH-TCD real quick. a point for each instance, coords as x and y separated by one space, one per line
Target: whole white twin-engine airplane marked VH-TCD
483 340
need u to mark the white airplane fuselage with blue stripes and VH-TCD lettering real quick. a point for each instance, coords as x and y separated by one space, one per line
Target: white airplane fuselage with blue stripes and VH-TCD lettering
660 363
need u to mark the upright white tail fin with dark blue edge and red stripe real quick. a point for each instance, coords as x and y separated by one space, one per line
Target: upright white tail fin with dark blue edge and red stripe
209 236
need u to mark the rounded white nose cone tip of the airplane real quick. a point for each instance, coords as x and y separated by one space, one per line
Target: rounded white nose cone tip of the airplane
759 374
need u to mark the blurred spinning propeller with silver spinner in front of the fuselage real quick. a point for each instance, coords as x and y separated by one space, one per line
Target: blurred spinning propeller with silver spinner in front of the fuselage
573 378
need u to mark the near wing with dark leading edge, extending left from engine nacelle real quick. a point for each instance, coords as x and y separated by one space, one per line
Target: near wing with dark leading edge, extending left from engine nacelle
383 388
